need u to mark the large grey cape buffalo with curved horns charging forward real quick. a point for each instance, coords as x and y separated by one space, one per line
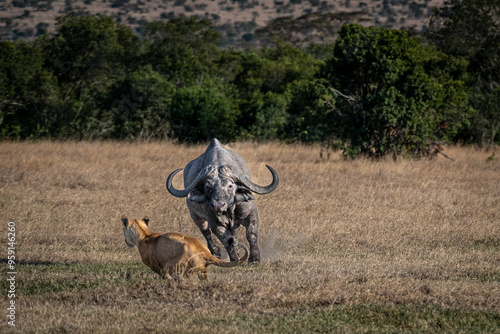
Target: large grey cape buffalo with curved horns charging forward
218 190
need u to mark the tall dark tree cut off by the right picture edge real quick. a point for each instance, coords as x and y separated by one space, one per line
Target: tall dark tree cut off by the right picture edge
471 29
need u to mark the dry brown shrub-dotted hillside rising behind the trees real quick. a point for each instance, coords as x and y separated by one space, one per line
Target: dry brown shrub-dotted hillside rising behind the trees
18 17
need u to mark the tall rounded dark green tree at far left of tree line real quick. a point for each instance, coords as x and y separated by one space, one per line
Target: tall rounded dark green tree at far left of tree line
87 56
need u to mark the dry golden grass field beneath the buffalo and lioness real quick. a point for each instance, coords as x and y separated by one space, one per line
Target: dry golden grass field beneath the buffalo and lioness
347 246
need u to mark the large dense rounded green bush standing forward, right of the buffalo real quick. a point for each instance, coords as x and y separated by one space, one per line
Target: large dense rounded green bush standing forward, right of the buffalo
387 102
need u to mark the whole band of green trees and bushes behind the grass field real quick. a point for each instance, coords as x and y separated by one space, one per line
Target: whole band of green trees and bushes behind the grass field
374 92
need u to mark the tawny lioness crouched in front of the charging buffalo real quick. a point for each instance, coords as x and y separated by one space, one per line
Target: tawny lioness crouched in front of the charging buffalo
171 253
